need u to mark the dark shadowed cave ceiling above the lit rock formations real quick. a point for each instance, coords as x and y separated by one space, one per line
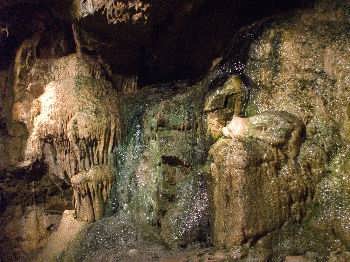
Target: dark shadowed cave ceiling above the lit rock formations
196 31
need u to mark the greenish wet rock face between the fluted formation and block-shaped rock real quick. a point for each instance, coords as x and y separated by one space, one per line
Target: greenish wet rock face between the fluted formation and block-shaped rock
164 153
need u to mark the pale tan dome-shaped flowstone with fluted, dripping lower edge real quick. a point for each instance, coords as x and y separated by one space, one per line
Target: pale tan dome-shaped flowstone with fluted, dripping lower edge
70 113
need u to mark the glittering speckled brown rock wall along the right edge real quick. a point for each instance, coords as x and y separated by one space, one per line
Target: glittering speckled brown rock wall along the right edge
301 65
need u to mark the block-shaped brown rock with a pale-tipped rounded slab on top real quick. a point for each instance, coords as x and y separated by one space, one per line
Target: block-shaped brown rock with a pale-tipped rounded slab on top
257 184
